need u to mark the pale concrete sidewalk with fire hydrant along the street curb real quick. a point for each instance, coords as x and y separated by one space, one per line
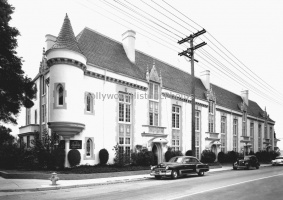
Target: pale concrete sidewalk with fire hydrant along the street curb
20 185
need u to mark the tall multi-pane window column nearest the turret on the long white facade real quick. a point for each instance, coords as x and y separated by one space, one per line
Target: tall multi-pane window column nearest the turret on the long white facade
125 136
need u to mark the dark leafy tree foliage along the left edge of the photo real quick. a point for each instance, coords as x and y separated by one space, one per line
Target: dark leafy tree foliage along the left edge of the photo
16 89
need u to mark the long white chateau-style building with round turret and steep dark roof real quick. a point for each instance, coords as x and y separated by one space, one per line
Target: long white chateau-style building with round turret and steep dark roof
95 92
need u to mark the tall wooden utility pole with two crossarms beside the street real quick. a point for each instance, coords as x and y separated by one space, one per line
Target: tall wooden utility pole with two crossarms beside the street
190 54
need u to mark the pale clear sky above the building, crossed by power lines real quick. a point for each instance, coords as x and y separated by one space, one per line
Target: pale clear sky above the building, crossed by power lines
244 39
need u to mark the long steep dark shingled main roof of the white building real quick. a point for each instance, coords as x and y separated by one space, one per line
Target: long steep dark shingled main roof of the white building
109 54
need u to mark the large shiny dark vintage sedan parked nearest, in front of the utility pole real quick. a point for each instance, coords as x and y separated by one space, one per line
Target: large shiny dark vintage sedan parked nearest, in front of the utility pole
179 166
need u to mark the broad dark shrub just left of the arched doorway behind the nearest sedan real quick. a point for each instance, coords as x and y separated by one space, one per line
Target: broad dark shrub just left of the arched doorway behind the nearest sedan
142 158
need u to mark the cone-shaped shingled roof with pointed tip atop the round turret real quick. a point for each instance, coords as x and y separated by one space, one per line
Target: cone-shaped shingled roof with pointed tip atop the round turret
66 38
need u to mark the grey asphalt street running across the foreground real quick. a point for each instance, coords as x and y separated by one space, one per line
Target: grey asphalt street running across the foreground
264 183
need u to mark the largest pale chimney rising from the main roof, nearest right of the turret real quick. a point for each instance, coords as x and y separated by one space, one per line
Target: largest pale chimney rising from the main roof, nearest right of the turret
128 39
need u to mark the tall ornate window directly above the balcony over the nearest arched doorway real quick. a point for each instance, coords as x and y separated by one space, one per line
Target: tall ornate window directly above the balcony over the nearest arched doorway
153 104
